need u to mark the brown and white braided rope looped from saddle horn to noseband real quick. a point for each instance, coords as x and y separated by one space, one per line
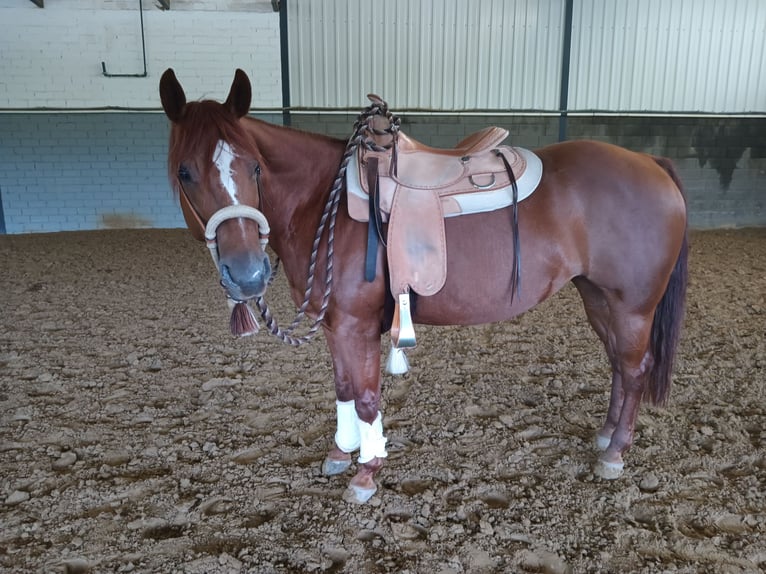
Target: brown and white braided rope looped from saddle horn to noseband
362 128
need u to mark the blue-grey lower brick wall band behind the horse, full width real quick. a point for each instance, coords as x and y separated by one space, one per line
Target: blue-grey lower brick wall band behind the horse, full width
95 170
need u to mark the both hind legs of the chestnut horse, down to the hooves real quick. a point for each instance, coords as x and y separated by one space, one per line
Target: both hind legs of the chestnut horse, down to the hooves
625 336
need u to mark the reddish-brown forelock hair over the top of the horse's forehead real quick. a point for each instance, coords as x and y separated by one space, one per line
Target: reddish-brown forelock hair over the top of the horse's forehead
203 125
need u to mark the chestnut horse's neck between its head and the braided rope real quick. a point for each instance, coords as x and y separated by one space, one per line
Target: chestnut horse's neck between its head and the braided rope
299 170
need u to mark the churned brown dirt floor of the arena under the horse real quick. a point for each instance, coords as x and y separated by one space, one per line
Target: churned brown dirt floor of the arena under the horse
136 435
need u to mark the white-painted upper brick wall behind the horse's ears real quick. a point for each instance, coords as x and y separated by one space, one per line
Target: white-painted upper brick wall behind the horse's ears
51 57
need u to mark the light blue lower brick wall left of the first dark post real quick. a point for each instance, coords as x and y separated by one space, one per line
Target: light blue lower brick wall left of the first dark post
65 172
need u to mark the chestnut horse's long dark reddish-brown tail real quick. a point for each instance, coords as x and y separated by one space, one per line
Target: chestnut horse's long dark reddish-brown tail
669 314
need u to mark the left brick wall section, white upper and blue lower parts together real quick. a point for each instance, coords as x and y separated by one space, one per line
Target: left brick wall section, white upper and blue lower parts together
67 171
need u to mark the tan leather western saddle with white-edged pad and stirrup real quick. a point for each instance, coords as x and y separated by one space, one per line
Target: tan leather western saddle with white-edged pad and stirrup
395 179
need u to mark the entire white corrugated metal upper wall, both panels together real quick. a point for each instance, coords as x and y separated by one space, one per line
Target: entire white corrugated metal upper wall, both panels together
627 55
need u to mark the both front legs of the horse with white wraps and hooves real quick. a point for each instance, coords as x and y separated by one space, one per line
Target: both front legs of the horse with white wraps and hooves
356 360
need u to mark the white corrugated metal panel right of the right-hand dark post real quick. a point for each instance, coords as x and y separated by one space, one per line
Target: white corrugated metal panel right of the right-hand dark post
669 55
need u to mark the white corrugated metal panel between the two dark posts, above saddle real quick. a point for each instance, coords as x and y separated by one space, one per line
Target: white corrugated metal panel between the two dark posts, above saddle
433 54
